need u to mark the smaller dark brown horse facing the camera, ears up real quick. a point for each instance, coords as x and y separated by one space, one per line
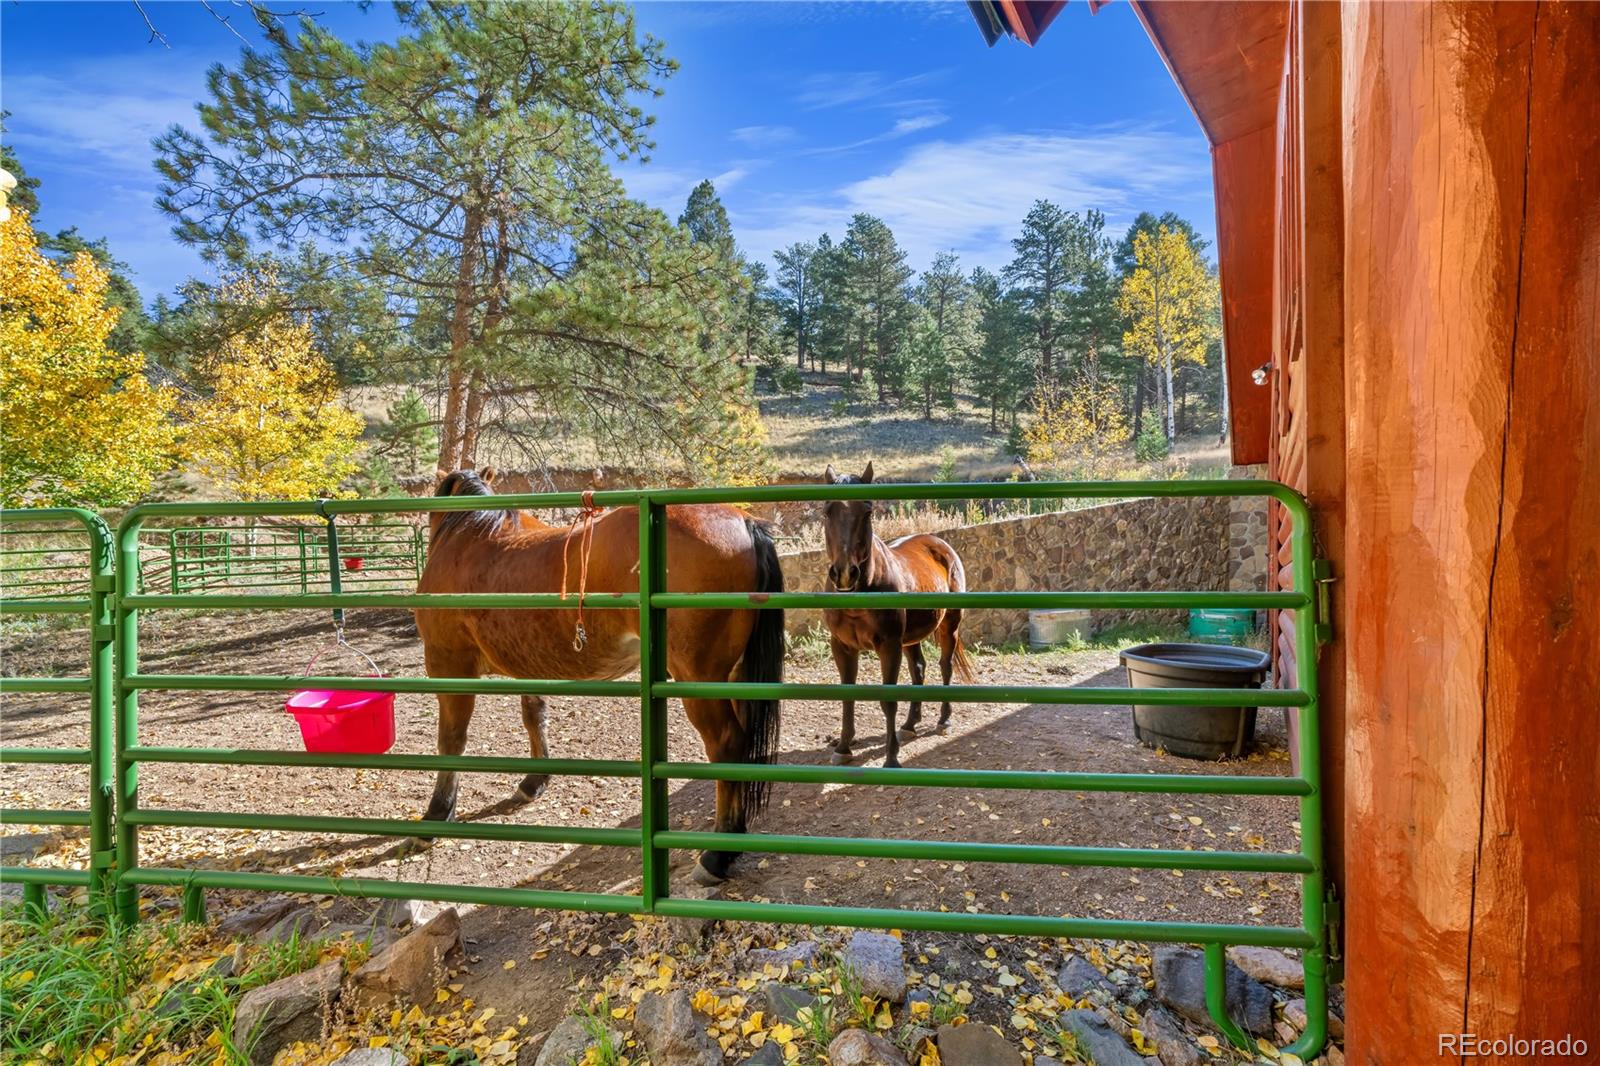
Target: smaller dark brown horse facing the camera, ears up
858 561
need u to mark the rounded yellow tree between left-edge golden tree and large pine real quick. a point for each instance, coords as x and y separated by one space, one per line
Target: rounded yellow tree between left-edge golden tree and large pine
273 427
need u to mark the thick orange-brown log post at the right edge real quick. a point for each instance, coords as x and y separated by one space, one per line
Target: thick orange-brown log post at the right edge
1473 254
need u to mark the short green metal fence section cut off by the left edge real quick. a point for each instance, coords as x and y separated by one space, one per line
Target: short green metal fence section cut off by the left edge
50 580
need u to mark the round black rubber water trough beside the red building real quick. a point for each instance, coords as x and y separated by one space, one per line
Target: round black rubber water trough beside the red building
1193 731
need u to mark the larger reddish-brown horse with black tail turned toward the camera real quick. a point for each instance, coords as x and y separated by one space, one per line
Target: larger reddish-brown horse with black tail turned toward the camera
710 550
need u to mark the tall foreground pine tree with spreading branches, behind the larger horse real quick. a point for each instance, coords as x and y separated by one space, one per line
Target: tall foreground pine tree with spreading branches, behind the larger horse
463 174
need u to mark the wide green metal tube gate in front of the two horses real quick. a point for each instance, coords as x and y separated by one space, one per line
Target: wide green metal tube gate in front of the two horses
654 771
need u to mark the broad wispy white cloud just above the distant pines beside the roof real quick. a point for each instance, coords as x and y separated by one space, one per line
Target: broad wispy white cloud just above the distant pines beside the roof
970 196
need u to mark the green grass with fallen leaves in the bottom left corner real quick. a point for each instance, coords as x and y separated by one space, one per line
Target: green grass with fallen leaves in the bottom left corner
70 985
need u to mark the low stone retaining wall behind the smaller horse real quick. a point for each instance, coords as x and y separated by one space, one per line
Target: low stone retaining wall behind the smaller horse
1143 545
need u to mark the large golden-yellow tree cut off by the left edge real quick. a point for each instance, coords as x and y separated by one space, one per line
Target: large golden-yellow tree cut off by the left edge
79 423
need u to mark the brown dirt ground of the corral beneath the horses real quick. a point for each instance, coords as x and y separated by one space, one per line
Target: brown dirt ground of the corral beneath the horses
1081 739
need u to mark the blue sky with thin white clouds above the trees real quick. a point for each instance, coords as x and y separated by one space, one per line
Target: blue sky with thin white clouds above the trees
801 113
